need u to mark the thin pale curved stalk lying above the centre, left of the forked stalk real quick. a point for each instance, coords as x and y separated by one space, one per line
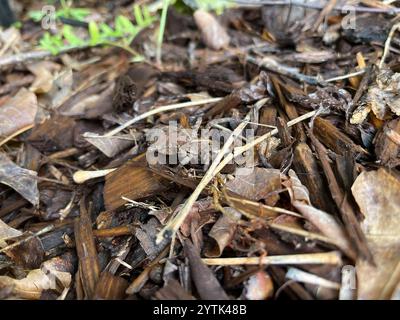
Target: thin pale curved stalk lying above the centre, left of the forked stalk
153 112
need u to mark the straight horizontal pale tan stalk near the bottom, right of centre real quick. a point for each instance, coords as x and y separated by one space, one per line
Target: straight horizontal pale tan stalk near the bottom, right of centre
332 257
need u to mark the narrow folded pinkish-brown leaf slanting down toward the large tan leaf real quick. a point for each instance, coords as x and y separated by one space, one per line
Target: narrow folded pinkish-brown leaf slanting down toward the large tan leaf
326 223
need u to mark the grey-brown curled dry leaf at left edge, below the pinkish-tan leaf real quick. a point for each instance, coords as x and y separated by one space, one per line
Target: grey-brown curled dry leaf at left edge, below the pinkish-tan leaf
21 180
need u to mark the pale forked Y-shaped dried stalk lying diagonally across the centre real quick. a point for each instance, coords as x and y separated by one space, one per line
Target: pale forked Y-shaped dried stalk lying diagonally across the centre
217 165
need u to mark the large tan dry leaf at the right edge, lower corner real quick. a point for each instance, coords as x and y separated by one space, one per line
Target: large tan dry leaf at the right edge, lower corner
377 193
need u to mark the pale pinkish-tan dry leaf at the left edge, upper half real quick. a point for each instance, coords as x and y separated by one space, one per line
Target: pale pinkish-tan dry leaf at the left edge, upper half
18 112
